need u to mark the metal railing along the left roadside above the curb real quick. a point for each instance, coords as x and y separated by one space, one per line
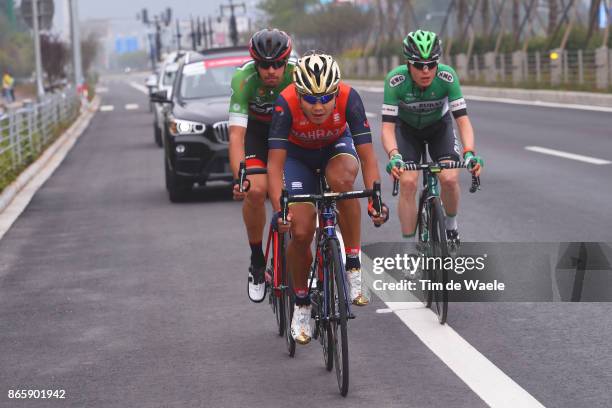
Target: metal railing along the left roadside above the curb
26 131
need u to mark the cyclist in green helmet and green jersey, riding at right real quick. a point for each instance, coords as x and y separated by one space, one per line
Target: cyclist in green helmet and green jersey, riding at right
420 97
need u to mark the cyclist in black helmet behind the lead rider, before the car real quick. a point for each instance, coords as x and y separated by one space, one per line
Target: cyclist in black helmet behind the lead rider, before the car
255 87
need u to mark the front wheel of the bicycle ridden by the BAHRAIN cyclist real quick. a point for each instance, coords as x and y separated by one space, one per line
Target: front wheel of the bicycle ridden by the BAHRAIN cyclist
338 309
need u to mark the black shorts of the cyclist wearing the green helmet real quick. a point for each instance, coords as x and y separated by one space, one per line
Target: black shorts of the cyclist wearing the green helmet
440 137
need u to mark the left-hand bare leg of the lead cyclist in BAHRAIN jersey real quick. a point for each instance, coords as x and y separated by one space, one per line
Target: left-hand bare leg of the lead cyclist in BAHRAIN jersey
299 254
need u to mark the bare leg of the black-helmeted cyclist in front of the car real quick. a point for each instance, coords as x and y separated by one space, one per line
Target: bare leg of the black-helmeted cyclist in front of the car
254 209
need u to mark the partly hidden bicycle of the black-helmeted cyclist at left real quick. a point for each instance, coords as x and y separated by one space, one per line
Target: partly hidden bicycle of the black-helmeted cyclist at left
276 274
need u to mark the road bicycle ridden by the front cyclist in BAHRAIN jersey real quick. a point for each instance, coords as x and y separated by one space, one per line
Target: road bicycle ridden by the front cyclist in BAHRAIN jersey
330 297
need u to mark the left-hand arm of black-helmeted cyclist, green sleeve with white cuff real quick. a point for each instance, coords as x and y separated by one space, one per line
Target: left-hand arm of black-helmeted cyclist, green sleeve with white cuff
238 120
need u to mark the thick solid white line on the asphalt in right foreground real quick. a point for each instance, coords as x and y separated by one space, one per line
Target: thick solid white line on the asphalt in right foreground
490 383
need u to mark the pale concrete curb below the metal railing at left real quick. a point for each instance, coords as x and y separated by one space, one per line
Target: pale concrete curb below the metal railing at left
54 153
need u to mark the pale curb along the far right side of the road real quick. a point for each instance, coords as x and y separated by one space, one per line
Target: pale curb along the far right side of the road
542 95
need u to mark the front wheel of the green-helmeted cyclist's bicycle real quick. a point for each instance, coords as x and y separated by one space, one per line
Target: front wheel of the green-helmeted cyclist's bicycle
440 249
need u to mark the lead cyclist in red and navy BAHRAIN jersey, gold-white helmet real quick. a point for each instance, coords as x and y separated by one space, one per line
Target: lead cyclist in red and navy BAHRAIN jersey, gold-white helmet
319 123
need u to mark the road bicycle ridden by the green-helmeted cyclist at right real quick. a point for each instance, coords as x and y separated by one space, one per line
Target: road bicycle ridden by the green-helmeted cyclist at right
431 230
